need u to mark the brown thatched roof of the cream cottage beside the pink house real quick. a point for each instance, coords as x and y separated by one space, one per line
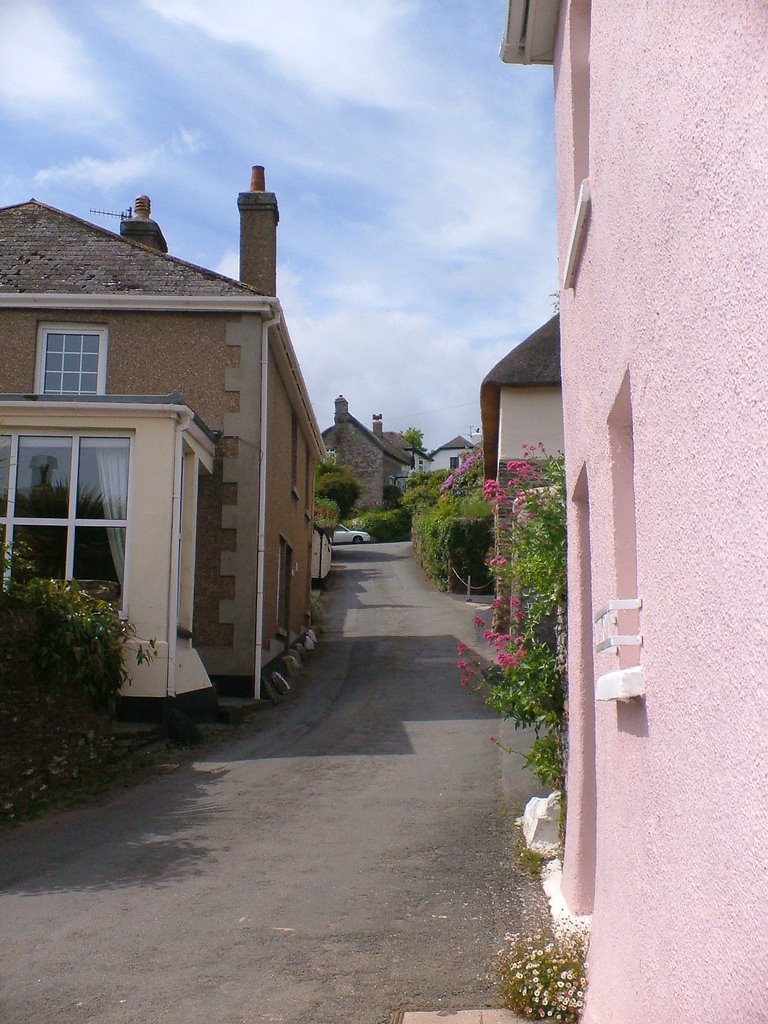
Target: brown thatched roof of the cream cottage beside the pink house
535 363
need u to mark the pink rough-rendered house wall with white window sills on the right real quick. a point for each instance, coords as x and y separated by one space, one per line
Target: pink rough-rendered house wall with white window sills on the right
662 146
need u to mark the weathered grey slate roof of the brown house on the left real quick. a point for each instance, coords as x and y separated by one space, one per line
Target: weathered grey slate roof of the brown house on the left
47 250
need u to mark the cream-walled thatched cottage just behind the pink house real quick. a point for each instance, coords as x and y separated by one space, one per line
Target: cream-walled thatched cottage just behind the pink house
522 401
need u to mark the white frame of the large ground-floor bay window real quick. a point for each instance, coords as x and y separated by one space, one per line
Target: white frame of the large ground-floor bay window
10 521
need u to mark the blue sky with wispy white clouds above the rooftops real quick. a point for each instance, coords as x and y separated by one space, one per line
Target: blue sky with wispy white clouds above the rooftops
414 170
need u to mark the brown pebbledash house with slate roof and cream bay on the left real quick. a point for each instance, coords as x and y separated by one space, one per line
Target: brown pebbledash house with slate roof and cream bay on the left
159 442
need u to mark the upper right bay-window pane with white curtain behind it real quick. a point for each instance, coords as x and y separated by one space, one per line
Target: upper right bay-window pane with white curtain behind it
103 484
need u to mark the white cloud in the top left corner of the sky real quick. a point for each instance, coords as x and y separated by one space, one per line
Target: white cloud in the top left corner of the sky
45 68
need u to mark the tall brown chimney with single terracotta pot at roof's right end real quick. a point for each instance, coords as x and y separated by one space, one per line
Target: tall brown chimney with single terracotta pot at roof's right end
259 236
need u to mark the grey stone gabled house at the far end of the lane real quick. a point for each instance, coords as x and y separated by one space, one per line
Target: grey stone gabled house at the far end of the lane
375 459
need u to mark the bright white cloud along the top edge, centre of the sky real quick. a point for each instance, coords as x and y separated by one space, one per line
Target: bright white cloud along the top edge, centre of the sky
344 51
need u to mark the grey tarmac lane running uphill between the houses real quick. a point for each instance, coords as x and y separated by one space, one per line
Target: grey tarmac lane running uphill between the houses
351 856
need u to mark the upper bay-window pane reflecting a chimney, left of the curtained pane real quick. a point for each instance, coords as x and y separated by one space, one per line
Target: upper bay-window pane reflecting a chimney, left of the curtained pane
44 478
